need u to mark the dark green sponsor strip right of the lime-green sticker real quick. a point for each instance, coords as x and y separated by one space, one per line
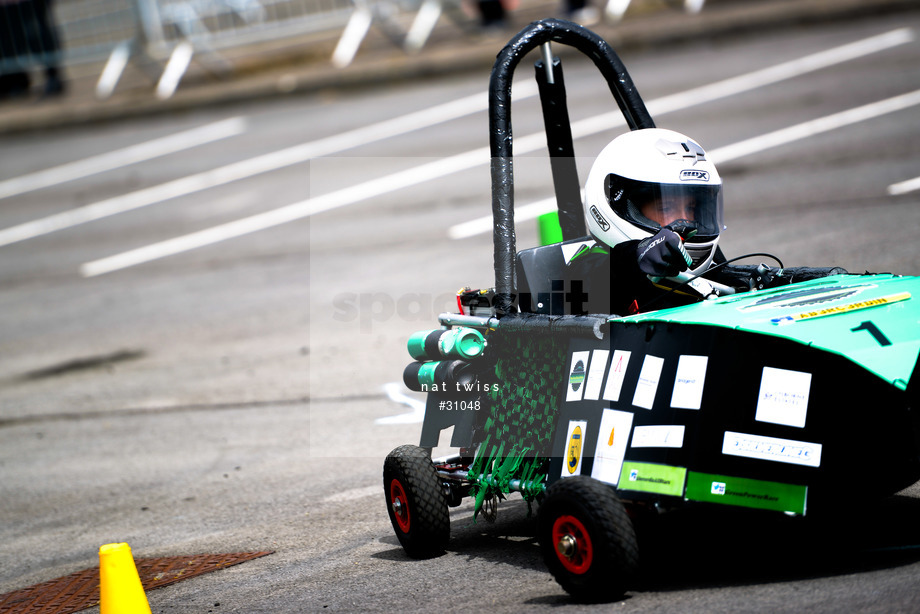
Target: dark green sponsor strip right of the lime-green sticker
746 492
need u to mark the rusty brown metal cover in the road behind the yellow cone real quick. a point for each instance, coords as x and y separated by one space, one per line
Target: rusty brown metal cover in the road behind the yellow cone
80 590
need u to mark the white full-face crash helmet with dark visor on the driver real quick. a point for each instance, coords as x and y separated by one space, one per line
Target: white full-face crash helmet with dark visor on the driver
645 179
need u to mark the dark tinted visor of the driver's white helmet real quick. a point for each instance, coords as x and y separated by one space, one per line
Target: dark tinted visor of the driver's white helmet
654 205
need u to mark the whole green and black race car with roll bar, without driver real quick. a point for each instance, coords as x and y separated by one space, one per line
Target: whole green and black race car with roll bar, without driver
777 392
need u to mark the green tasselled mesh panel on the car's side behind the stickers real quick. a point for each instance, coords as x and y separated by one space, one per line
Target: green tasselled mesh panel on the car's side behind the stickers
518 434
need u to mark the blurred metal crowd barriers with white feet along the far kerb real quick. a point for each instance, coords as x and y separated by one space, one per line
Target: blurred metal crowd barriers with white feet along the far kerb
165 34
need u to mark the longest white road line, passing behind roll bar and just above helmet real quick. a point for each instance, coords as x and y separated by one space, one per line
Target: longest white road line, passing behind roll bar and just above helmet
453 164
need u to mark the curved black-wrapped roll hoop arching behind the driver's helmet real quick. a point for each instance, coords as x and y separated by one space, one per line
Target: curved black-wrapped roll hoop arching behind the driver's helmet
502 172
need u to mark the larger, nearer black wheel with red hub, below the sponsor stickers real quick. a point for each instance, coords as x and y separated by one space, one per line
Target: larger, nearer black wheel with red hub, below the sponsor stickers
587 539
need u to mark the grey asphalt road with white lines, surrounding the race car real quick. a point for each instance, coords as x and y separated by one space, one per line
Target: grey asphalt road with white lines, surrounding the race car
203 314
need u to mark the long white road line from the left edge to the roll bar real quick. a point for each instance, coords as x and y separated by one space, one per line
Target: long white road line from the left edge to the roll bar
253 166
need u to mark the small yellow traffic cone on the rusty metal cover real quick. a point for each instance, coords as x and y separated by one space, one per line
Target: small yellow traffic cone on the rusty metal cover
120 589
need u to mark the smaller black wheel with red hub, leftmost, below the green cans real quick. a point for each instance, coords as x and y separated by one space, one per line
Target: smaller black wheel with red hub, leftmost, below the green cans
415 503
